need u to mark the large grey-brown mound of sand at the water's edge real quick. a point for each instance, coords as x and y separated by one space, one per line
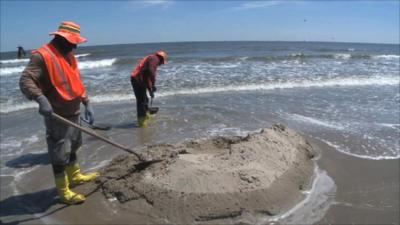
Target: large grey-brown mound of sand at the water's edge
214 180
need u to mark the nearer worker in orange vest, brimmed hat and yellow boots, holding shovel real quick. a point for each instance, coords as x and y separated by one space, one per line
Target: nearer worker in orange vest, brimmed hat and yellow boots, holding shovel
52 79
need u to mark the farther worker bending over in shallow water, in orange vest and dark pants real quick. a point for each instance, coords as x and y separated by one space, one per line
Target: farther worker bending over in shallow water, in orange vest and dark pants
143 78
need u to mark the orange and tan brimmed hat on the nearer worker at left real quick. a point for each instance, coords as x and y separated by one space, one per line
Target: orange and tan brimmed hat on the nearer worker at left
70 31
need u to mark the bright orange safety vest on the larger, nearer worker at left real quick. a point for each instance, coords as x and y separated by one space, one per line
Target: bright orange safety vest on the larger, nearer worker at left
65 78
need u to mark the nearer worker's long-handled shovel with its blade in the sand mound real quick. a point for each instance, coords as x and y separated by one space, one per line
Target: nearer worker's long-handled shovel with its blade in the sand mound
86 130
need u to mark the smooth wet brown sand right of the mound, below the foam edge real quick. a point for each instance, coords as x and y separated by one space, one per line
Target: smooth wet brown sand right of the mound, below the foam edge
367 190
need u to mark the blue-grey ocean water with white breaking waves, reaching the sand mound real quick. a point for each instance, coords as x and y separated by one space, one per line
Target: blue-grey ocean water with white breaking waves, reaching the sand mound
344 94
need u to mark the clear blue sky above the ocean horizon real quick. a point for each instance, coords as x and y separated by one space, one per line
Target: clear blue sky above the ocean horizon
28 23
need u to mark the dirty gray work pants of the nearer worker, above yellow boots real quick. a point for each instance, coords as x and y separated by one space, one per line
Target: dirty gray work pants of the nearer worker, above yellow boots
62 140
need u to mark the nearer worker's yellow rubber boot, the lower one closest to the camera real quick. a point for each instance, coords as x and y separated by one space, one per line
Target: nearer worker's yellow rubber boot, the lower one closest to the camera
66 195
